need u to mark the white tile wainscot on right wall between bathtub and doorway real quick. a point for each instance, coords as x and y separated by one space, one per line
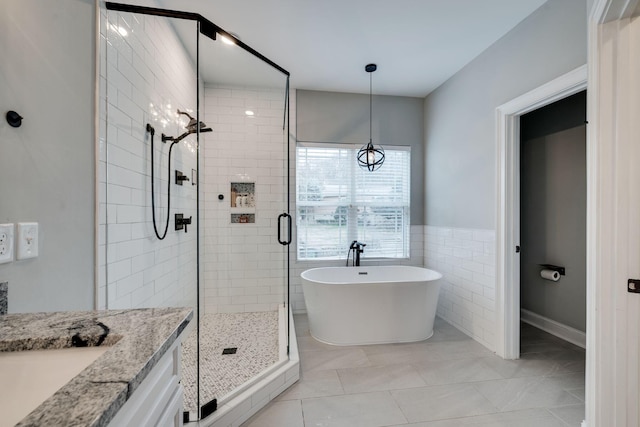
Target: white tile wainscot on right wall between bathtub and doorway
466 259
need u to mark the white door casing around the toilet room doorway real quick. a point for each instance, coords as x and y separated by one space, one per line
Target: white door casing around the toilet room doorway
508 202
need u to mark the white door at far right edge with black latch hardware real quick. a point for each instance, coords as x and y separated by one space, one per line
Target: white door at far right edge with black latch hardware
613 349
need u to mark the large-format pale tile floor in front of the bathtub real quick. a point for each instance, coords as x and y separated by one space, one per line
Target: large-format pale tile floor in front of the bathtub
448 380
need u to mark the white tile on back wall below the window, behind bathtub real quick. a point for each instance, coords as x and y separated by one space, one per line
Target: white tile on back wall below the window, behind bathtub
297 267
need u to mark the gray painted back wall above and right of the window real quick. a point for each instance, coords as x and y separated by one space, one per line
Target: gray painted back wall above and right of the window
344 118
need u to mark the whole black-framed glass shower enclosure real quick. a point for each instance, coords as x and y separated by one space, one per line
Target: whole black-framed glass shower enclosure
194 192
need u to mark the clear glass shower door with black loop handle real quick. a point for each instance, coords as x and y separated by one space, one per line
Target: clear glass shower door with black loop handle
244 222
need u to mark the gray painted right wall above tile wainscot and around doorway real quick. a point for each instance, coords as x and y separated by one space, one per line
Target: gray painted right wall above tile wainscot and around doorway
460 163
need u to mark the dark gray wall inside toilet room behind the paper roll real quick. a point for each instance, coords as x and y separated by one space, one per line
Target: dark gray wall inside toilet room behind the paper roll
553 203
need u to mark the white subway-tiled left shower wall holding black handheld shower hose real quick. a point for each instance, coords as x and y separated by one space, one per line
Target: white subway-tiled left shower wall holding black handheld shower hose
145 76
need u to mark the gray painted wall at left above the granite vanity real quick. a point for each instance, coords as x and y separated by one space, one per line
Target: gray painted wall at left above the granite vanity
47 165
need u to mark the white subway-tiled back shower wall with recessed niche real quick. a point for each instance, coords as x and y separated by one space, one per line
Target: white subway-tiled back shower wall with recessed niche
243 264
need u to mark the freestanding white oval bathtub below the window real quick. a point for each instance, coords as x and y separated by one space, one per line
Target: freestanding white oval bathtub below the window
371 305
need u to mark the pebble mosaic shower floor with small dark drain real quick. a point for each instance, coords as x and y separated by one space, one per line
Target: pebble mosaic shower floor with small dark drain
255 335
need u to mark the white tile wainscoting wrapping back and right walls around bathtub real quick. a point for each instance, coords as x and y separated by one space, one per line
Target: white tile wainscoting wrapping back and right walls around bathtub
466 259
